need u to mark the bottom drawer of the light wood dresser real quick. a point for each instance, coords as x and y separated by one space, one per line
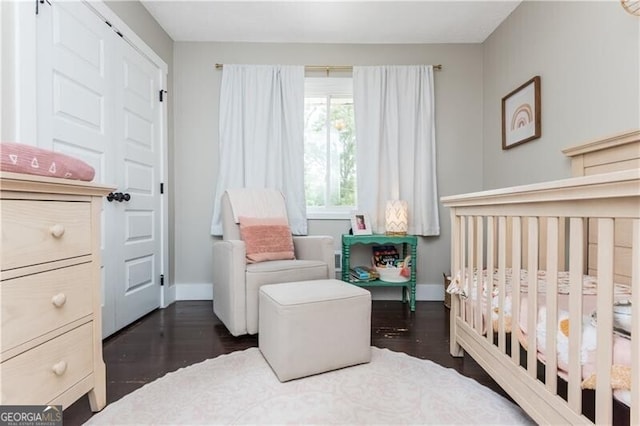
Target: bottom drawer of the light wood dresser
44 372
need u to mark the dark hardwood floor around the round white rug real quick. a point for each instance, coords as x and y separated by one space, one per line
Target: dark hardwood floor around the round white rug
188 332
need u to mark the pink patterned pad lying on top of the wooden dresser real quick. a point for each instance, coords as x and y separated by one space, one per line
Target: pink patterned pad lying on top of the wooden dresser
22 158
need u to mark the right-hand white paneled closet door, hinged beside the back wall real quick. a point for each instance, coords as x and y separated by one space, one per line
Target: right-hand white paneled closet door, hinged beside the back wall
138 122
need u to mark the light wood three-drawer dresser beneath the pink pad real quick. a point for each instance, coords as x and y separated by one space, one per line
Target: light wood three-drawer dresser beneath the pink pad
50 286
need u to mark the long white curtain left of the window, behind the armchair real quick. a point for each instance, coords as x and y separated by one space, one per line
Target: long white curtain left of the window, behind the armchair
262 136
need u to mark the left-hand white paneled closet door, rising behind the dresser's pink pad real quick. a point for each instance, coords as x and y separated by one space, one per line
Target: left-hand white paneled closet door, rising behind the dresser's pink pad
75 109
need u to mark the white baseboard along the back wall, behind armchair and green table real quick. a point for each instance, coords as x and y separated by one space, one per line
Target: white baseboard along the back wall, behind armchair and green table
424 292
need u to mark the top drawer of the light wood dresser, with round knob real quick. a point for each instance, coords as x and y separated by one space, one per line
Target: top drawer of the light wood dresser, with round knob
43 231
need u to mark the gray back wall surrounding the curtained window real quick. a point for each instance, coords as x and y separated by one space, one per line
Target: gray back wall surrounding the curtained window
197 83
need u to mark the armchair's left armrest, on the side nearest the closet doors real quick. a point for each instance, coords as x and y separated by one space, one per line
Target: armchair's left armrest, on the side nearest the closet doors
229 292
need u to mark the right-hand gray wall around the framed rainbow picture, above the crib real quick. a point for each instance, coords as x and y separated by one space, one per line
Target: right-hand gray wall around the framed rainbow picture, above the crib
586 54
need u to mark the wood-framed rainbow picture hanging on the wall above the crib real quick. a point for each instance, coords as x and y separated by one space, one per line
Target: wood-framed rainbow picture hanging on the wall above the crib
521 114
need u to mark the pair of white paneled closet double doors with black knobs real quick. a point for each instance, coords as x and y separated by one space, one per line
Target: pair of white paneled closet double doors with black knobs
95 102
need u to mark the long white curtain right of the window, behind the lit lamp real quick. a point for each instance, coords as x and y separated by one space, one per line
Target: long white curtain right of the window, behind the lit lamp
396 149
